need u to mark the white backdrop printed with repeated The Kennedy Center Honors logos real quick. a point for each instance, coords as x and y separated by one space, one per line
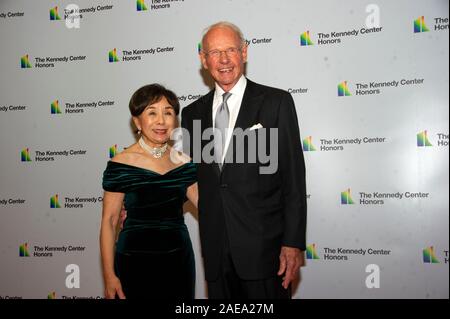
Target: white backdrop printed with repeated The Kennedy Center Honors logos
370 81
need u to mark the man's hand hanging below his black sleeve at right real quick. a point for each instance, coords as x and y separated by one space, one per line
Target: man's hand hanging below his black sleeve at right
291 259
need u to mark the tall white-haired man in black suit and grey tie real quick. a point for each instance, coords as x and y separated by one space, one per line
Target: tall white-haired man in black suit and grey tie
252 218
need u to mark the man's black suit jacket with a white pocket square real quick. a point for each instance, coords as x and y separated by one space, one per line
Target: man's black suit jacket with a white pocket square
260 212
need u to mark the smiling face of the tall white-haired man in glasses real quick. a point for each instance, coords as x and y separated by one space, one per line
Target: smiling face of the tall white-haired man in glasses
223 55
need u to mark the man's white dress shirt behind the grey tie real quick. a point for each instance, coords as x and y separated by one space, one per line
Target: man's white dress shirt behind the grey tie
234 105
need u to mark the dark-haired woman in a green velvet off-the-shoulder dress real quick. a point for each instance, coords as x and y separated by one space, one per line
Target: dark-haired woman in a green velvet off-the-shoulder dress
153 256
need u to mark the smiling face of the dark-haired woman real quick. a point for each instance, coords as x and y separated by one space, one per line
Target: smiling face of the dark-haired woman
156 122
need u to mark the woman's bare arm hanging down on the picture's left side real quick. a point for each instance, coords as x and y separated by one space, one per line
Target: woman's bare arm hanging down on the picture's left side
112 204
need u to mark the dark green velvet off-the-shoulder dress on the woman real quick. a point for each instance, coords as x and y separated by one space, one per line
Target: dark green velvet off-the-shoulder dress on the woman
154 256
